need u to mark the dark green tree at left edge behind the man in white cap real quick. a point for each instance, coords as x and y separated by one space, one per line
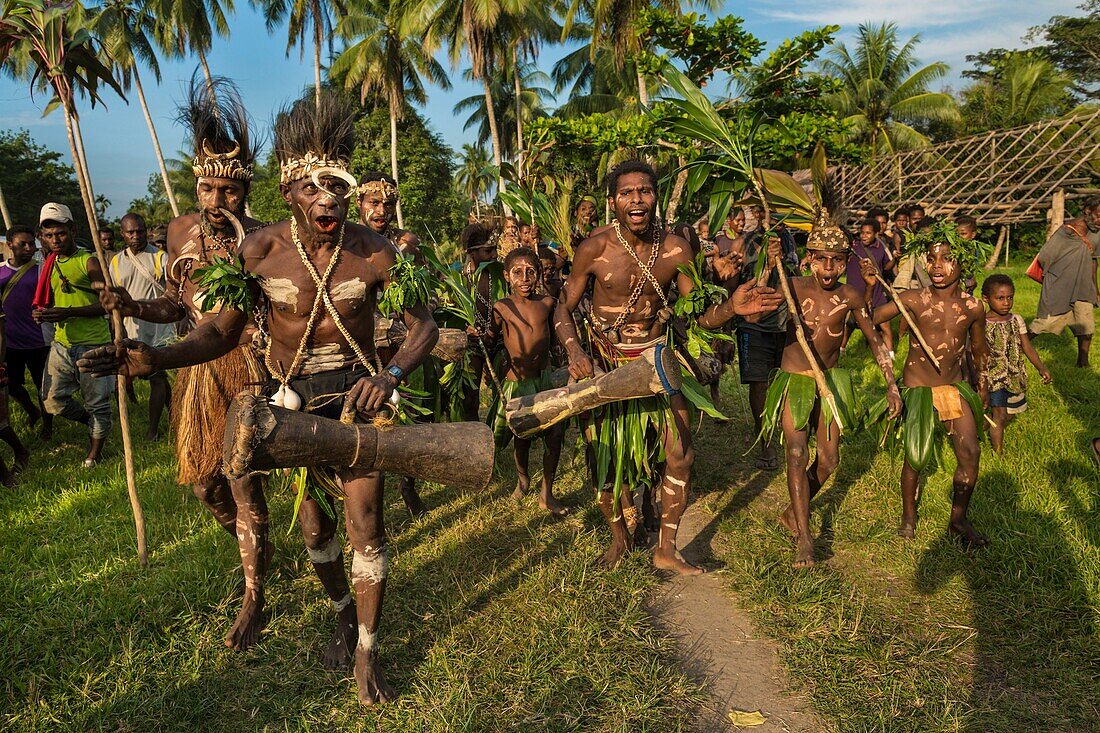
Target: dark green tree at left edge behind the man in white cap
35 176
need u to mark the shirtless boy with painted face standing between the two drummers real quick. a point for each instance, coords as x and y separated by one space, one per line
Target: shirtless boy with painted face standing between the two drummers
524 322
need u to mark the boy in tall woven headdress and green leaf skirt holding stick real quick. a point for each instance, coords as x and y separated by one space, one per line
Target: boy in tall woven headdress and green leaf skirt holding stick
823 308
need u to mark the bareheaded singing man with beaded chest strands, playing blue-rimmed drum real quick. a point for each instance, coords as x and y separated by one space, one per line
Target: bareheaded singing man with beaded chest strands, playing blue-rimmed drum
630 267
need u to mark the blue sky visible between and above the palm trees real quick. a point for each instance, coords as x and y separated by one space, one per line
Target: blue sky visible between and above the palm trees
122 158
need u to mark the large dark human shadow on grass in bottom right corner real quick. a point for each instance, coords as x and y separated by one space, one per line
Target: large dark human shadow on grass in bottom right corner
1036 658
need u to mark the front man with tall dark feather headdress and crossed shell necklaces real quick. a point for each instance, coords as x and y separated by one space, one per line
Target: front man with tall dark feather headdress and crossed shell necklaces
315 280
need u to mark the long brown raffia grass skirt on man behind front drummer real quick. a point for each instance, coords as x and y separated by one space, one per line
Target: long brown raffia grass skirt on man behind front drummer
200 402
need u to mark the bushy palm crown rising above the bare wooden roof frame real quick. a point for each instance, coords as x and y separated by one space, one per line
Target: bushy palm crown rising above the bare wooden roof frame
882 89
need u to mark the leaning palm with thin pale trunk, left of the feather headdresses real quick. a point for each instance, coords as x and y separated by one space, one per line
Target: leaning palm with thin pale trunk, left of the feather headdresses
125 30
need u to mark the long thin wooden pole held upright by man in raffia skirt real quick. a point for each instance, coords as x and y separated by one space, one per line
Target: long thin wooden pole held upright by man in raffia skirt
76 143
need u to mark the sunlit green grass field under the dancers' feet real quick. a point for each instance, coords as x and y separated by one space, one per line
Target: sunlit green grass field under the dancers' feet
497 618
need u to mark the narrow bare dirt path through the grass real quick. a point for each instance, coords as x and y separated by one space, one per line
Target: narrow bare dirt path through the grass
719 646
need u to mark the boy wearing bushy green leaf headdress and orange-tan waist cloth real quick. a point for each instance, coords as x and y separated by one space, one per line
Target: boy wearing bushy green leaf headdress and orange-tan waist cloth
951 323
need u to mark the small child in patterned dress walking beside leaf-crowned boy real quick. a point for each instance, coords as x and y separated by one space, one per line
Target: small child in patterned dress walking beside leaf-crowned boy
1007 336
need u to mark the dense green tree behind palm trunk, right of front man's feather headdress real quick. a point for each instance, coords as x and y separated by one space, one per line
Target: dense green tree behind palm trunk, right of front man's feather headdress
430 203
